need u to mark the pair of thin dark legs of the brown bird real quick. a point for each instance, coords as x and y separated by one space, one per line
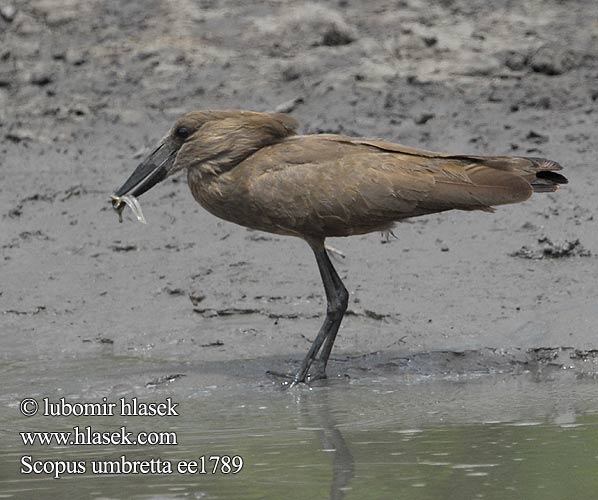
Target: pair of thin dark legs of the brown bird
337 298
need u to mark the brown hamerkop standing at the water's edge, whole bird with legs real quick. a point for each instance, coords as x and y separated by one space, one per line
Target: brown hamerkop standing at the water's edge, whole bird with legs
253 169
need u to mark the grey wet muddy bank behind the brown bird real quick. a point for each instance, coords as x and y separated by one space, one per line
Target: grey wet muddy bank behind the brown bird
86 87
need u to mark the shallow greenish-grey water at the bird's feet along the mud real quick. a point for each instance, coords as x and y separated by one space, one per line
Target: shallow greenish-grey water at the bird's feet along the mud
493 437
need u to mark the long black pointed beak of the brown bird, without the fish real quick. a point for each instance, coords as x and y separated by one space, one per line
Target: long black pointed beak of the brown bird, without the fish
149 172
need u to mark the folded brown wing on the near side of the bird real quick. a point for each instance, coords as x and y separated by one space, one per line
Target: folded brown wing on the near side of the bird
358 179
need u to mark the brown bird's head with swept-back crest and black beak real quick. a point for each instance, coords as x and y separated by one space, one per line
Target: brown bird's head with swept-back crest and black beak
210 141
